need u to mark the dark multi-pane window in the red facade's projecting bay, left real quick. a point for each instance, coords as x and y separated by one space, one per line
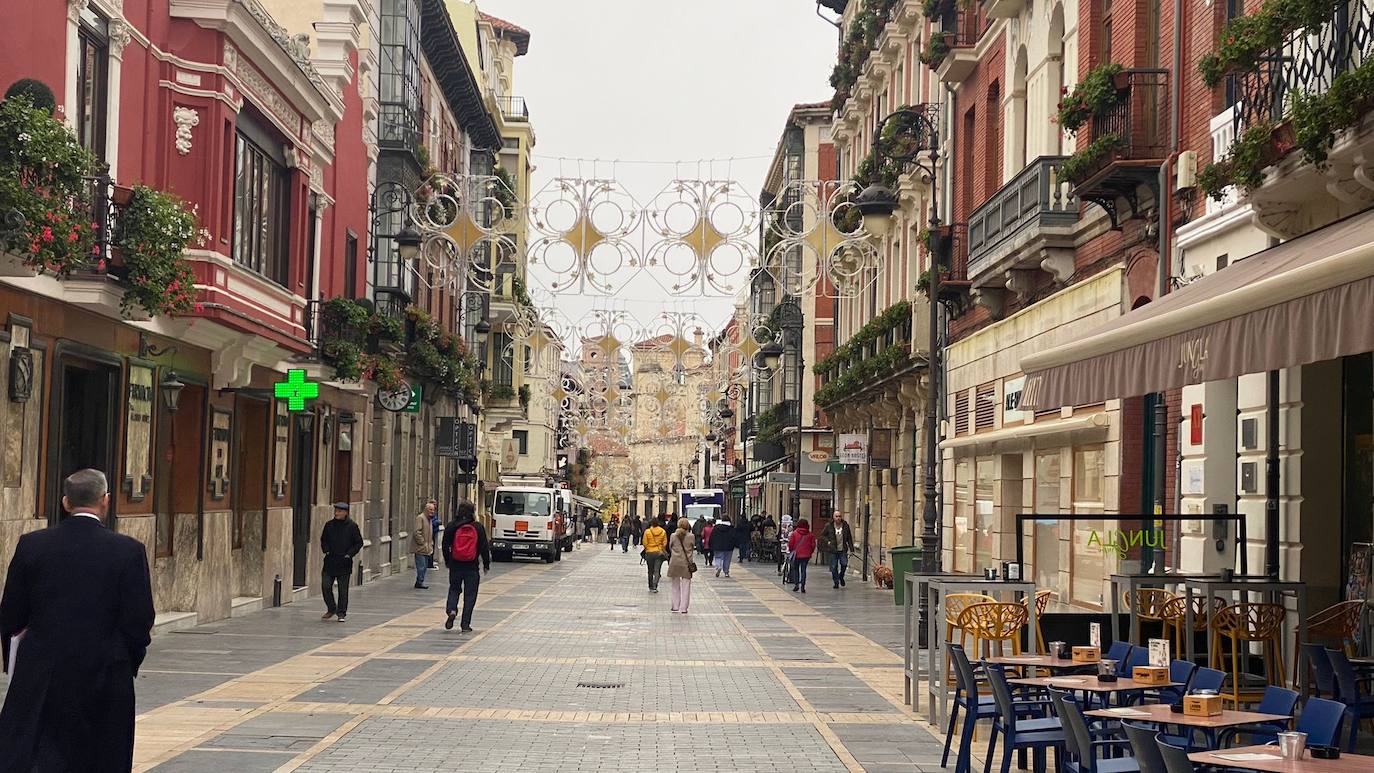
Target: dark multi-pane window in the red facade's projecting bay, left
262 204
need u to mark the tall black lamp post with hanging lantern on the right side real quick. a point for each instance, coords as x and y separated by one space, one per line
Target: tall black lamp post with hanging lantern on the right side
912 138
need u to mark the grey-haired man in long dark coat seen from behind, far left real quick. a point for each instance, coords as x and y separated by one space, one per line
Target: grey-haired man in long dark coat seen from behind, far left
82 599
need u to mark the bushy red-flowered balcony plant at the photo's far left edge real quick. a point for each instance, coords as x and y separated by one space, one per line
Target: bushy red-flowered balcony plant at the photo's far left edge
45 193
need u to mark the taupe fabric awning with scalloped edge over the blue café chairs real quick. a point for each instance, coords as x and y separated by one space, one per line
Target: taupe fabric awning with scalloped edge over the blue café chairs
1303 301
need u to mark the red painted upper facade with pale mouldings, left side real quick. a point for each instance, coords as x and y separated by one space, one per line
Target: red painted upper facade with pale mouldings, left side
172 64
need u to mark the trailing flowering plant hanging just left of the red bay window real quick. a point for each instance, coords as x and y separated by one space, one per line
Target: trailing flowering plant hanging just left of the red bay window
155 231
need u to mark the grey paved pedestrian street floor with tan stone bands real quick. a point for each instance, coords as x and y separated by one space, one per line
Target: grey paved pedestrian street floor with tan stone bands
754 679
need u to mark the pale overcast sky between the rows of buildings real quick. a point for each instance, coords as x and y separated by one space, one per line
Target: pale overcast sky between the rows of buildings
664 82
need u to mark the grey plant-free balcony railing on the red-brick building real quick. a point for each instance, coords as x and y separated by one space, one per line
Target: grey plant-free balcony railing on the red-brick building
1033 200
